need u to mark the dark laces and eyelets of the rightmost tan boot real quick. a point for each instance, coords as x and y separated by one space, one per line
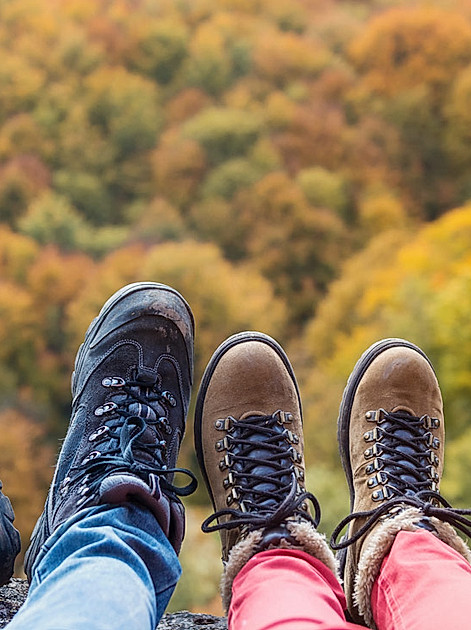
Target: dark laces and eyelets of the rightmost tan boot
405 466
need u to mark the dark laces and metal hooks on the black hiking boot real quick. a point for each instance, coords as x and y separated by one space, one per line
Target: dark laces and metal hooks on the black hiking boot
134 408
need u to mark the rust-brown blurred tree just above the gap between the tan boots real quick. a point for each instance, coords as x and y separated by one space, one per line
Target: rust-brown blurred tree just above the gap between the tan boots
297 247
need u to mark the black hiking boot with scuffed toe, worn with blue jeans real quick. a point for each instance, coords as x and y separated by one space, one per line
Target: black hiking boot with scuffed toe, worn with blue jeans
131 389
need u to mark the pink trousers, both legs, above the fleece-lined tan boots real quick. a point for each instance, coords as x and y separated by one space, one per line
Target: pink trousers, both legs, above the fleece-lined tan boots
423 585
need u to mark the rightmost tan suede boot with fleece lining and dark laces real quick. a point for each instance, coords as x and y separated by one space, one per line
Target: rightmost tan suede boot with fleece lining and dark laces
391 439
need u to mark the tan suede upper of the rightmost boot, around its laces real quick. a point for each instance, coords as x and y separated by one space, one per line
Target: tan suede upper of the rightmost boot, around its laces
399 379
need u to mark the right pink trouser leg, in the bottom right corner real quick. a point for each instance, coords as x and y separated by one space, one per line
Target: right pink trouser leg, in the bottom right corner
423 585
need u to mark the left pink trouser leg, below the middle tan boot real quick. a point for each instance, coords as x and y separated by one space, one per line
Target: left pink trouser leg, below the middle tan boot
287 589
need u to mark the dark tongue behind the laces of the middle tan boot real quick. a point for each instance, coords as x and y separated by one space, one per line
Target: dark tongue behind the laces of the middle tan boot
259 454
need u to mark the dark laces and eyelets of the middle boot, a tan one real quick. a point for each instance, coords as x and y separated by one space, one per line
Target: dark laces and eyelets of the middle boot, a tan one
262 476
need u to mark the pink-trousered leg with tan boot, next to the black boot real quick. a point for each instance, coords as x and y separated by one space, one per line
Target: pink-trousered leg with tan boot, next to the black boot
249 442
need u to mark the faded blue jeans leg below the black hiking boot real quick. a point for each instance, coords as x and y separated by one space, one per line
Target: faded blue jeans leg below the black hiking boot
106 568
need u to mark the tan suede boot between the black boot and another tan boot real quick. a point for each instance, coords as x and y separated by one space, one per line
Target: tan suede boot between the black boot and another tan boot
249 443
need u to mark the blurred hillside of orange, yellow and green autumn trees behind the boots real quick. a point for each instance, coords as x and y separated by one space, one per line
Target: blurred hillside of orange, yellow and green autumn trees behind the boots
301 167
